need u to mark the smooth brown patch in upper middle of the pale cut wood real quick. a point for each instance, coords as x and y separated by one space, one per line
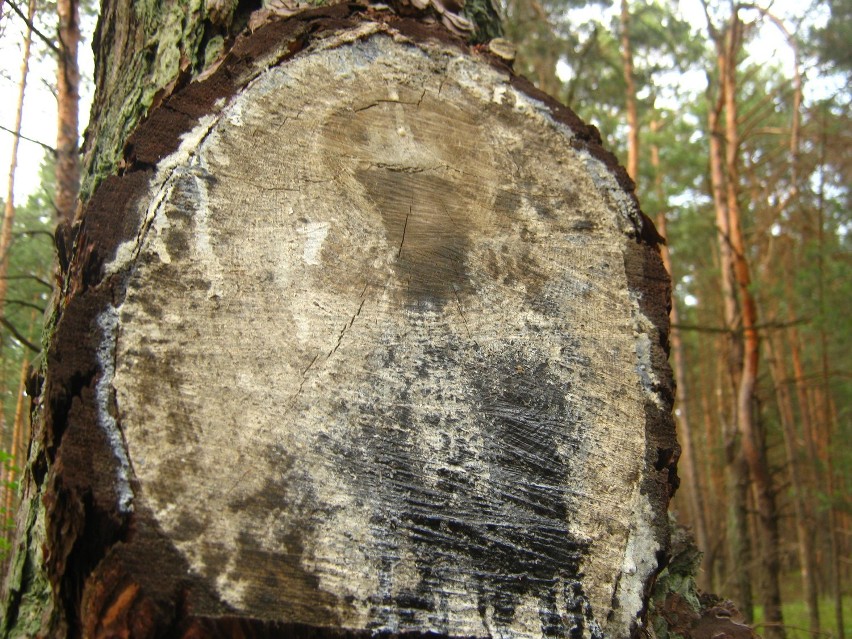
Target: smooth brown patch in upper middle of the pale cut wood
429 196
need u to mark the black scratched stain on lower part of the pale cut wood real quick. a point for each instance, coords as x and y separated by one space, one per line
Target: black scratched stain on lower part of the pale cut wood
508 535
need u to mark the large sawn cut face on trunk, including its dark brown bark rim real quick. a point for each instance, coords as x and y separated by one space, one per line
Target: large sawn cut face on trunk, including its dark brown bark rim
367 337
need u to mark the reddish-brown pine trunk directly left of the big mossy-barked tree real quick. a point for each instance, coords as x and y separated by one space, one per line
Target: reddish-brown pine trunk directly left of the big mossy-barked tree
68 107
